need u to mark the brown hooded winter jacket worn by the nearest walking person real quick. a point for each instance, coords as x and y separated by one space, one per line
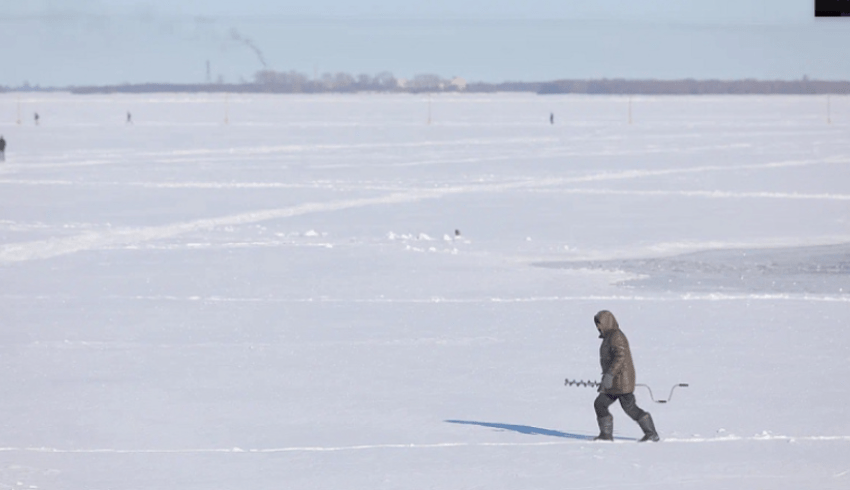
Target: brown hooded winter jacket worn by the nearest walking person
614 355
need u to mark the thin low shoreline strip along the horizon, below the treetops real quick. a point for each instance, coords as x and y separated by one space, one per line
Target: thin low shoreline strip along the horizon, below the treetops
568 86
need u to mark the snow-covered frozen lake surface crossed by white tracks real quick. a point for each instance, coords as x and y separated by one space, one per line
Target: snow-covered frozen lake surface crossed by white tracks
326 291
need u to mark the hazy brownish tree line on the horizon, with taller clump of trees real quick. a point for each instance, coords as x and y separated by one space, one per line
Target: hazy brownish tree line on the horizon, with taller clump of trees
270 81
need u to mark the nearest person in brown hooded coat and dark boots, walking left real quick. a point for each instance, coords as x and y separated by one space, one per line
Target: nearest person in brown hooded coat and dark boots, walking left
618 380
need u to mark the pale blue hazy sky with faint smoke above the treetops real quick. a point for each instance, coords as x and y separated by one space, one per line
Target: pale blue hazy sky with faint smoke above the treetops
76 42
